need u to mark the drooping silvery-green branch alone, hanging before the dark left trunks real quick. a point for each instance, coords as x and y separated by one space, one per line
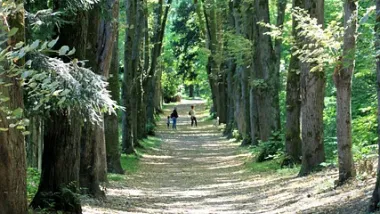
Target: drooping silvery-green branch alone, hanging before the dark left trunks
59 85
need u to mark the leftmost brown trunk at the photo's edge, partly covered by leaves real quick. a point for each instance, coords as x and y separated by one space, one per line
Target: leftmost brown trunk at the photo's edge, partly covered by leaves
12 150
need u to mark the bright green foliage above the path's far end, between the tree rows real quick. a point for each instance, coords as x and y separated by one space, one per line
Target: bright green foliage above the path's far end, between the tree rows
184 58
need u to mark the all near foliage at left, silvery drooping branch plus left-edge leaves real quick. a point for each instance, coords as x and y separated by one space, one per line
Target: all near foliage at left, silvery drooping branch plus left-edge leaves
49 82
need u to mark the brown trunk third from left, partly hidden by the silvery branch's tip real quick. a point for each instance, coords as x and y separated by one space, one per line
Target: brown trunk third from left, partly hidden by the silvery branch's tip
101 37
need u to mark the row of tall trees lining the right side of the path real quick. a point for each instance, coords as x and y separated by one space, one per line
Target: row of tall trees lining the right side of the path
245 85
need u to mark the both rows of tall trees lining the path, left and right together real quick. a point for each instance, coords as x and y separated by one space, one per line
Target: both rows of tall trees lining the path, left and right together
67 101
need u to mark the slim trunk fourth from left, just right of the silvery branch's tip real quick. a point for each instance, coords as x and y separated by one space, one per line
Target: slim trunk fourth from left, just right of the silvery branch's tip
111 122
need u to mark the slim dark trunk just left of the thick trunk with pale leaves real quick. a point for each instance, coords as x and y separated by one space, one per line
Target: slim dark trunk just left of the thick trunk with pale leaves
293 142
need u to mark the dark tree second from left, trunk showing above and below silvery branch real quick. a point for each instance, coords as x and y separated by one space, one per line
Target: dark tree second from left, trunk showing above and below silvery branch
63 131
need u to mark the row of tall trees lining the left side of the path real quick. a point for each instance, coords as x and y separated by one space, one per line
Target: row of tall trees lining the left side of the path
63 94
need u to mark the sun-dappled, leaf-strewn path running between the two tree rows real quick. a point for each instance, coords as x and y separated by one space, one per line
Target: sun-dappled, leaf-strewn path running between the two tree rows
196 170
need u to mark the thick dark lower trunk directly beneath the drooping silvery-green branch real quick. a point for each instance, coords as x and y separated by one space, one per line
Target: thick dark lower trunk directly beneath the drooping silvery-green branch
59 182
